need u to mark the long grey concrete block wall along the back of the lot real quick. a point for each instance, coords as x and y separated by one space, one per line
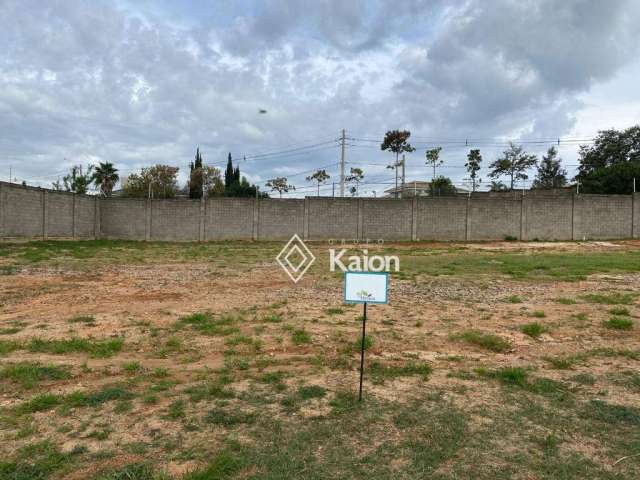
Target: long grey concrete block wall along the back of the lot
29 212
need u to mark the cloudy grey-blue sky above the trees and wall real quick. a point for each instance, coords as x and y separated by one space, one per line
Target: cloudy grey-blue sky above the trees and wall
139 82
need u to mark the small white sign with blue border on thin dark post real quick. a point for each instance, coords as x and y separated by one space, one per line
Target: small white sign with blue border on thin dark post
365 288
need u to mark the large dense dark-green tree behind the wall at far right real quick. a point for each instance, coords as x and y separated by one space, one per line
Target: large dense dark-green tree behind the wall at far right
611 163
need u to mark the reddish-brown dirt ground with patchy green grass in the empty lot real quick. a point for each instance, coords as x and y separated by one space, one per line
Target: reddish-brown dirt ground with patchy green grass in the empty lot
425 346
